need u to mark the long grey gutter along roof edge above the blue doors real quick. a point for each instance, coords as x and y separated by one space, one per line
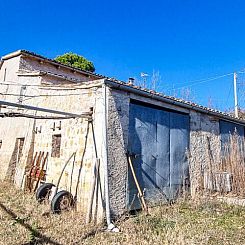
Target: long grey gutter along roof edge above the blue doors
130 89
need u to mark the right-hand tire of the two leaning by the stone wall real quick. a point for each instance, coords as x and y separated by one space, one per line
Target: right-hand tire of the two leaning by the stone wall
62 201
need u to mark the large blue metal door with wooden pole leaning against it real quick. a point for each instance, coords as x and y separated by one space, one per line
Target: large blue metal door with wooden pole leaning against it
158 140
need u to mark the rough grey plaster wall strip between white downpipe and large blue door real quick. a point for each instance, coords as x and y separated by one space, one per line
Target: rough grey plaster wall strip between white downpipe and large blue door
118 119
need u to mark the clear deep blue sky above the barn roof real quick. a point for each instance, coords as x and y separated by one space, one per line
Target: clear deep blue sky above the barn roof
183 40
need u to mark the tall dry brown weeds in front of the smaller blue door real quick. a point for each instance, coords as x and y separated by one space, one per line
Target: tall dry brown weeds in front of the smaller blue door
231 164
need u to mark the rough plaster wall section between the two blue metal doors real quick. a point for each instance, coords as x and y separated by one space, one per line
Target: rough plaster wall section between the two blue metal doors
205 148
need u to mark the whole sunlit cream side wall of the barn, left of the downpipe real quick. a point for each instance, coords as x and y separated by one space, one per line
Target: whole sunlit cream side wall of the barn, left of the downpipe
38 133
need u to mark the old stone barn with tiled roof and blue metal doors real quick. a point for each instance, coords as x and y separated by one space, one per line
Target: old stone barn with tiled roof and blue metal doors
169 141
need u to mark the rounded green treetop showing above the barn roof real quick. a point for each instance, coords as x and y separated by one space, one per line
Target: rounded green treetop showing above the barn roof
76 61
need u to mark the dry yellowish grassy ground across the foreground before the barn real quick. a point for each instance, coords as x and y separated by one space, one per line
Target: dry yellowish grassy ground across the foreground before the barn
24 221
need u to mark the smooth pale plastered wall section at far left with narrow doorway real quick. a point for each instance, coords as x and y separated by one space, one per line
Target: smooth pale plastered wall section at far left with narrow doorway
13 128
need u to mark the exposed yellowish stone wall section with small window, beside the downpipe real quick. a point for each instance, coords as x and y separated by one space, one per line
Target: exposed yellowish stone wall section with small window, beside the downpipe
73 135
